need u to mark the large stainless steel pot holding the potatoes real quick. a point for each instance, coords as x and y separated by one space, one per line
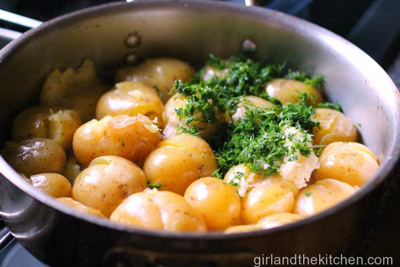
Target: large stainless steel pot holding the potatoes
191 30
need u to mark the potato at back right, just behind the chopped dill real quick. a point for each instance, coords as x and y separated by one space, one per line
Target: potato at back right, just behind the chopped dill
287 91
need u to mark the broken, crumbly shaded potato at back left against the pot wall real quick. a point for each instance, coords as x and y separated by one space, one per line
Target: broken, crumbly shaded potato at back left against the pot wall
74 89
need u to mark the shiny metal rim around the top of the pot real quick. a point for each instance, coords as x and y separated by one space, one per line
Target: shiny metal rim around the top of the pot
282 20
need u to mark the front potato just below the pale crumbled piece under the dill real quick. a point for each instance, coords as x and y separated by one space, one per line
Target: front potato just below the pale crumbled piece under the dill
273 196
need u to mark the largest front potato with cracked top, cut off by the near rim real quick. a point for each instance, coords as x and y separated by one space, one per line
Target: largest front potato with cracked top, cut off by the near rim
162 210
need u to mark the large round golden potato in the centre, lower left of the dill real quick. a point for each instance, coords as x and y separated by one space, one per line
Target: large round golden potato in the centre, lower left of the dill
178 161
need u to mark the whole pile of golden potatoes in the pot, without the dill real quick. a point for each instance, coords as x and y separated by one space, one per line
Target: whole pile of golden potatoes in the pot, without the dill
115 153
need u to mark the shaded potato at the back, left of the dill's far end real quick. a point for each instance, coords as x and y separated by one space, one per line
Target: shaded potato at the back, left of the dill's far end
160 73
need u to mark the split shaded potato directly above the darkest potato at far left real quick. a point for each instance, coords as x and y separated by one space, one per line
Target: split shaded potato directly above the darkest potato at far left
53 123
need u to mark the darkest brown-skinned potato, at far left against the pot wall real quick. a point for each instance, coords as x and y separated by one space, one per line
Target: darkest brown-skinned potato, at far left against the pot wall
35 155
